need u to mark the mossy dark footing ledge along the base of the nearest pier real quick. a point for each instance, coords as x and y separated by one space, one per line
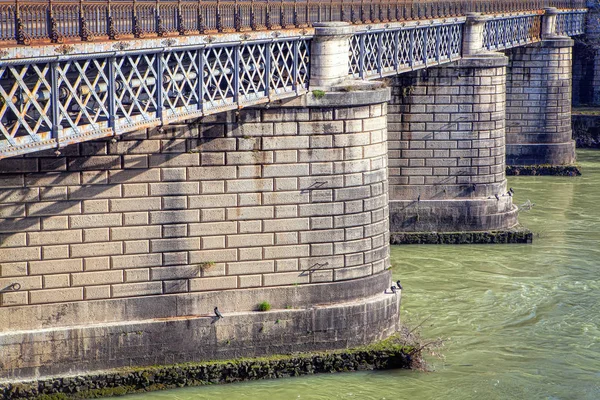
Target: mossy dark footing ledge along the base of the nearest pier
393 352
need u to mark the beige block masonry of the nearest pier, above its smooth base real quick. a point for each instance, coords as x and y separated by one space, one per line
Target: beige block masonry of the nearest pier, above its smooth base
262 198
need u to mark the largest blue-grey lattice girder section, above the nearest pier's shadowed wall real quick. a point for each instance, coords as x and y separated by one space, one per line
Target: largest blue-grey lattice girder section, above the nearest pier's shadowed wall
51 103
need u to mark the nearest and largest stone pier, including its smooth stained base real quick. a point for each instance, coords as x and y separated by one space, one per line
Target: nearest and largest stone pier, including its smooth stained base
115 253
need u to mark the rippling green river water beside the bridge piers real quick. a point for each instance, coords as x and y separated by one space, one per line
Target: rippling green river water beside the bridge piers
520 321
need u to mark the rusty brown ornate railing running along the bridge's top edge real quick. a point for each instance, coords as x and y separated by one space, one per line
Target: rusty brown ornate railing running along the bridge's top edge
27 21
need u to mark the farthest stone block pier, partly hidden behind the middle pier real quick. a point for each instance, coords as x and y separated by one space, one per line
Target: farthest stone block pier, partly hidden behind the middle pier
538 109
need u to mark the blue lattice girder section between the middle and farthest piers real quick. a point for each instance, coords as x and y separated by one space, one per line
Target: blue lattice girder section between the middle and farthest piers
503 32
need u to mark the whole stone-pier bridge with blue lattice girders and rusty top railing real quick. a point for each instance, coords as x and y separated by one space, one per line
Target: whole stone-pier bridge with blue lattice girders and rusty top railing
161 158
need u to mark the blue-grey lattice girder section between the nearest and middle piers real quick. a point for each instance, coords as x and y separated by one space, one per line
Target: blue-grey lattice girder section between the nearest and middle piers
378 53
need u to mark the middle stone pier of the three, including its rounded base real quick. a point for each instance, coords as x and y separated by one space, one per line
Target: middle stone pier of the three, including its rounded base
446 149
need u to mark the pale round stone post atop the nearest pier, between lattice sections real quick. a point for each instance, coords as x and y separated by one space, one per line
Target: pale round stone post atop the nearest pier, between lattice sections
329 53
